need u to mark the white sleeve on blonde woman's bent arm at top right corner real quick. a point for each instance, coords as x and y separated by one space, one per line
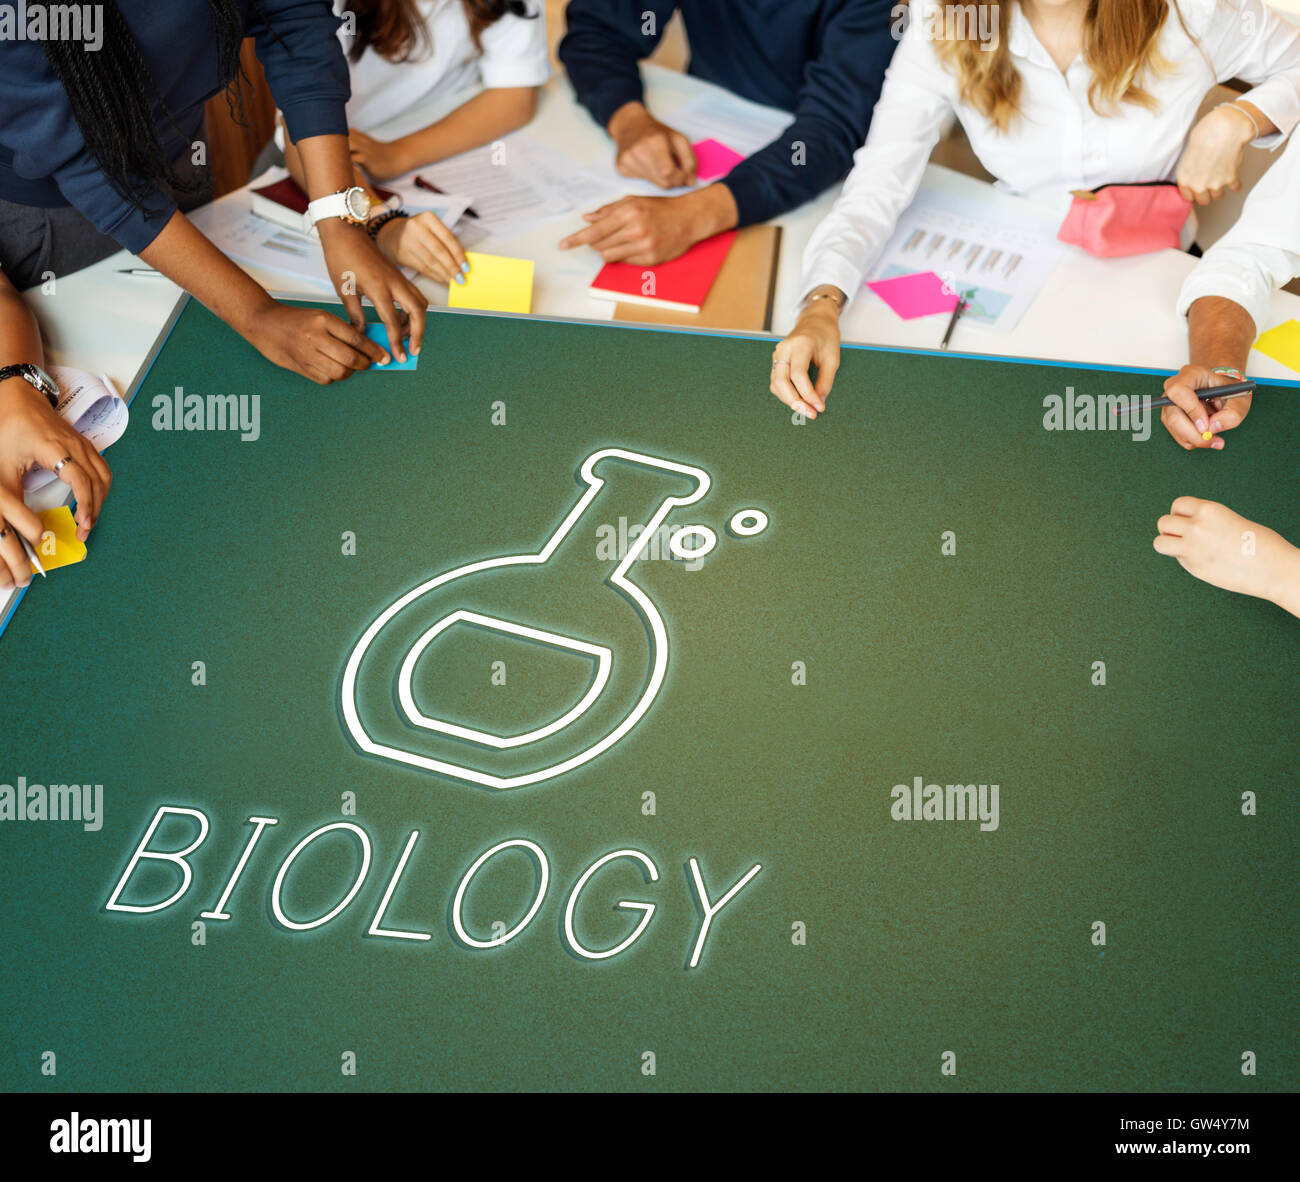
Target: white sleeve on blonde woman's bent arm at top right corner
1246 40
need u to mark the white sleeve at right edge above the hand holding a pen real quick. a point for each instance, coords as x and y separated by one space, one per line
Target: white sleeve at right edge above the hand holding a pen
1262 252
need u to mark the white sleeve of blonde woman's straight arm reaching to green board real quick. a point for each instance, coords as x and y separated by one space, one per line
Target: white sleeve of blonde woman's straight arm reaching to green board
887 171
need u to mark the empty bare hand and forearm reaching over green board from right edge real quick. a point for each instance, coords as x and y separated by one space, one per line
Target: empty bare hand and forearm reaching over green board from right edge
1224 549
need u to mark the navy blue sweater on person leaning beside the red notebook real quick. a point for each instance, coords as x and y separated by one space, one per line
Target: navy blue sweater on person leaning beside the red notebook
822 59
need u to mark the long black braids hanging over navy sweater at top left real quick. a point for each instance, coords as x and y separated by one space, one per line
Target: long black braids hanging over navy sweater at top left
114 97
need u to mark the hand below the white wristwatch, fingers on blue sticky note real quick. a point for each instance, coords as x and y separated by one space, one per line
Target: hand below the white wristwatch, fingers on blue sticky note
358 267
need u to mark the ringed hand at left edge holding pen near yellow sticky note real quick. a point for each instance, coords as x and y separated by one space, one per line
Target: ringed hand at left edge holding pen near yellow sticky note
32 434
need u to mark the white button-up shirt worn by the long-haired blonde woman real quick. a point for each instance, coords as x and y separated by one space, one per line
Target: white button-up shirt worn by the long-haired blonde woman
1059 144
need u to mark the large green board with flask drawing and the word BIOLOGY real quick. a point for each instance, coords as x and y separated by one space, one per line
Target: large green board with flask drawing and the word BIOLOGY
944 594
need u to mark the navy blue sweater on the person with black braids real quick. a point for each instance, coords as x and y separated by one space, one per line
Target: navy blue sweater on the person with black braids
44 157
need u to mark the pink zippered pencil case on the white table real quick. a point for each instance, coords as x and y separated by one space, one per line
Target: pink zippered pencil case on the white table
1119 220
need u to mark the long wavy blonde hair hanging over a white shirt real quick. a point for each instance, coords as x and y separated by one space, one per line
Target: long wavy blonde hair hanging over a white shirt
1120 44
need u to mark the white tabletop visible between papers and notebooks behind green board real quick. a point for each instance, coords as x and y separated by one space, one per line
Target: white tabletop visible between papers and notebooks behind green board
1117 313
